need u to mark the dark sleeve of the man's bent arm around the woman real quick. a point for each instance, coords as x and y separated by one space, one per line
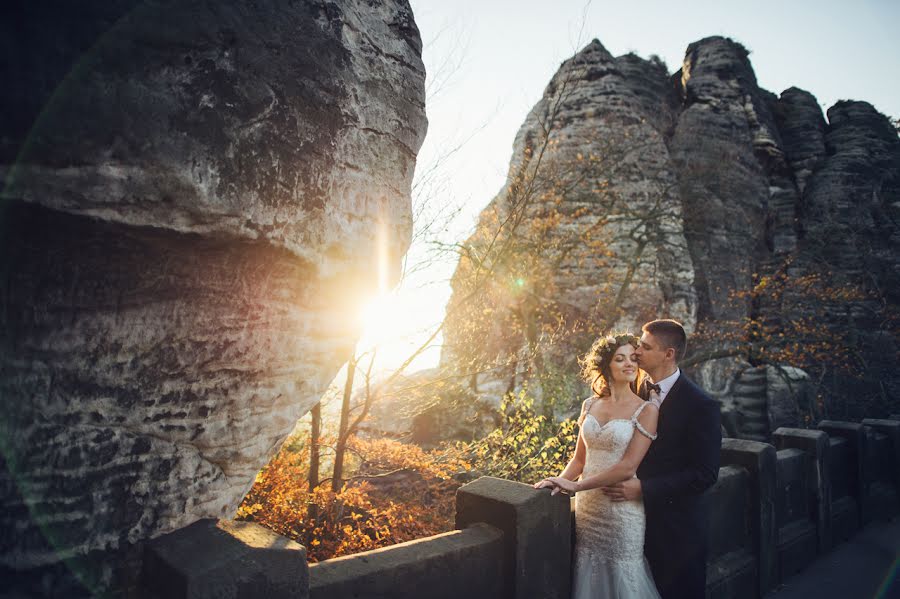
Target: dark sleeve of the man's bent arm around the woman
702 469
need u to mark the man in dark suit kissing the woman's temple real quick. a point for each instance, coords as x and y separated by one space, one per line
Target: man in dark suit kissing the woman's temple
681 464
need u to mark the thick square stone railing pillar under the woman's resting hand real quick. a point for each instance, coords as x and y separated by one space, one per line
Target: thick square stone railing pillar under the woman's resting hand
537 534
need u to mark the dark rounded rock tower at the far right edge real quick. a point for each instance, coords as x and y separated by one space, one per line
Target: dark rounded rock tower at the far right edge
850 238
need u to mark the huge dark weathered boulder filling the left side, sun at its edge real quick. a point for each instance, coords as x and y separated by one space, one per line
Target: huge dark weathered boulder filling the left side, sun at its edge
193 193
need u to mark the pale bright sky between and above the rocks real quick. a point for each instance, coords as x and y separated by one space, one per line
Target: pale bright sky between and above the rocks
488 62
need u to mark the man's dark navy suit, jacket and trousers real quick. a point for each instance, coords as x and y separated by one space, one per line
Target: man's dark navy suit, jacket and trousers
681 464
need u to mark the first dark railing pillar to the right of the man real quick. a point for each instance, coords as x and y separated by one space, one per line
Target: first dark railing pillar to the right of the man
759 460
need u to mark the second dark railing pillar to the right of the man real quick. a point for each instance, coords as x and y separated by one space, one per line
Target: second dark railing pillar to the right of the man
815 444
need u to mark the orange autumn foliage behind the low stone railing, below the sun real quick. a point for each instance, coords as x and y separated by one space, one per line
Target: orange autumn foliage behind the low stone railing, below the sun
418 500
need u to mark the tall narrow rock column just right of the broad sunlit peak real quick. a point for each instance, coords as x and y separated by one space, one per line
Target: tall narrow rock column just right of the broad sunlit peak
724 123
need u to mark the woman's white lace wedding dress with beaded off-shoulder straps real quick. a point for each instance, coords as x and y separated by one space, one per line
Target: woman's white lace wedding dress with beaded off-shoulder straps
609 536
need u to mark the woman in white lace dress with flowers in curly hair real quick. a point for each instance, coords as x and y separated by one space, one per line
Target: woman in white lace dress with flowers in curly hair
617 428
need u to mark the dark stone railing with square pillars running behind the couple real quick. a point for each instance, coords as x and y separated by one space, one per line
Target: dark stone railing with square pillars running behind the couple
775 509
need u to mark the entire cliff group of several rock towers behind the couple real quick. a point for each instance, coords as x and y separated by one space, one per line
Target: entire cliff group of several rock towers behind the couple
715 202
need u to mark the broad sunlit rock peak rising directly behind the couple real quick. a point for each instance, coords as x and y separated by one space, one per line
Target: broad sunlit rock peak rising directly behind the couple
589 164
